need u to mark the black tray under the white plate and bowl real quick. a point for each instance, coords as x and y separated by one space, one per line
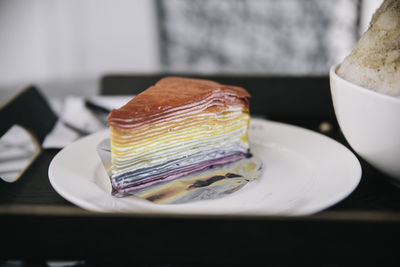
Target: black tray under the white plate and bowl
363 229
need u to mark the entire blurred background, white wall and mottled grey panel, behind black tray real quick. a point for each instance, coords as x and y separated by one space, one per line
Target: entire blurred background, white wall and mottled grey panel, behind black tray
65 46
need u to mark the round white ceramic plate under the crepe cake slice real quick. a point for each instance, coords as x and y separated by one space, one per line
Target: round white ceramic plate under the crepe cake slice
303 172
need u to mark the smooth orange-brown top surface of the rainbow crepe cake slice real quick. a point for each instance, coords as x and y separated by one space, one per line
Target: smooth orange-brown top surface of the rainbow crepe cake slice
172 92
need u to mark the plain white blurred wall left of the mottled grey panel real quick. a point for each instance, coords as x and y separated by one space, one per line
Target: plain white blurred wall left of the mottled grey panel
74 42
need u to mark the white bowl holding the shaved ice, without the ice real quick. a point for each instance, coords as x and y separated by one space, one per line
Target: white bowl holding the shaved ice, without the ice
370 122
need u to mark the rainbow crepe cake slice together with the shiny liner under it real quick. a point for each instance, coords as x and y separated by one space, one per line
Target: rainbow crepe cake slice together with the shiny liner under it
180 140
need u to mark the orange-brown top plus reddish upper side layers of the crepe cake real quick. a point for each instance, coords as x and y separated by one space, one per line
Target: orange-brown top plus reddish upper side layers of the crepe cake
176 96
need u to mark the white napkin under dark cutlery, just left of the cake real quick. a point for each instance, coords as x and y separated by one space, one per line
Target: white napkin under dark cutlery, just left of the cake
80 116
